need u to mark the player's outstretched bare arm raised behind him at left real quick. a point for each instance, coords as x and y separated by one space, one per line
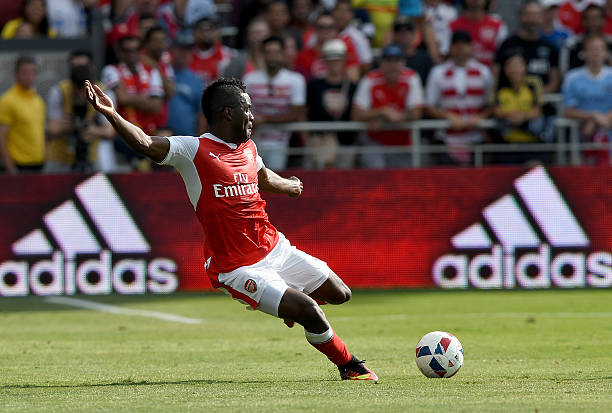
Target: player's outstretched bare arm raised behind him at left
154 147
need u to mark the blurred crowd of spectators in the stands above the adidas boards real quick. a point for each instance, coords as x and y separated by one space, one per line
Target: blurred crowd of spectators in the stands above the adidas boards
375 61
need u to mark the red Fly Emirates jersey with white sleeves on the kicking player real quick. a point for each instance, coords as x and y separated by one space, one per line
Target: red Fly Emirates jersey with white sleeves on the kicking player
222 185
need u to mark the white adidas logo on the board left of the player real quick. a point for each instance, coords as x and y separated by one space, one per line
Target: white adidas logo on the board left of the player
82 264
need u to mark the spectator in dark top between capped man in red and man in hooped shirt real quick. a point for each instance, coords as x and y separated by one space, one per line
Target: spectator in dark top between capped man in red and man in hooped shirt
416 58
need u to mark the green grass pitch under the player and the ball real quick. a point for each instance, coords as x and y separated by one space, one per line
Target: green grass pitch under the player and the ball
525 351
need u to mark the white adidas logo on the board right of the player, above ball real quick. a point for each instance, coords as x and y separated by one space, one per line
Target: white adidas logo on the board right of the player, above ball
531 239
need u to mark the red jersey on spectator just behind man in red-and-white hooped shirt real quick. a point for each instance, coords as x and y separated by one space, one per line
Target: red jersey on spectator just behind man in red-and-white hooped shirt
487 34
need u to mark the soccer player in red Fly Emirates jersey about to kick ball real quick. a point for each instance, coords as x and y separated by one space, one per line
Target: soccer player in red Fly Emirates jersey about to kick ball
246 255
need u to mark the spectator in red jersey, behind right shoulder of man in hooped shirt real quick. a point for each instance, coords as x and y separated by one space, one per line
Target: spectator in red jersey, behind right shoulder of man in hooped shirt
486 30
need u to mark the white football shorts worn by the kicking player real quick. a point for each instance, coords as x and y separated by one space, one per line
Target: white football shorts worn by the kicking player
262 285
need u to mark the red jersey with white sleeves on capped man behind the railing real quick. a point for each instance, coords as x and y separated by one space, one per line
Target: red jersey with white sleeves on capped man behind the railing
374 92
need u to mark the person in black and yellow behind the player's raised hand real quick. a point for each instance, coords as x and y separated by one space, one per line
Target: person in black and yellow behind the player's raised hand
80 139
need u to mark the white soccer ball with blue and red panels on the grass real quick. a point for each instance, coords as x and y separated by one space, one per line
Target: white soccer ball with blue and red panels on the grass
439 354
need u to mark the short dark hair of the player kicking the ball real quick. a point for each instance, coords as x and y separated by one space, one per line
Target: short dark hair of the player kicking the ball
220 94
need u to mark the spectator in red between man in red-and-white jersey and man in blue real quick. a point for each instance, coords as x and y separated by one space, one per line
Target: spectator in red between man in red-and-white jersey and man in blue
155 57
